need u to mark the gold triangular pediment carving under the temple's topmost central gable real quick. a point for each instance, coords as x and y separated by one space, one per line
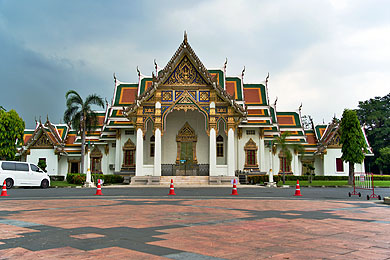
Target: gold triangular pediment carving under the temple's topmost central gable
185 74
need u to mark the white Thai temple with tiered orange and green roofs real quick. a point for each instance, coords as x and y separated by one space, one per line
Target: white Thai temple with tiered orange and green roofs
194 123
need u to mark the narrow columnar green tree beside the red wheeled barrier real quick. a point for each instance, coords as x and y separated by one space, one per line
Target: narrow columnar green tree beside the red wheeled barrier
352 140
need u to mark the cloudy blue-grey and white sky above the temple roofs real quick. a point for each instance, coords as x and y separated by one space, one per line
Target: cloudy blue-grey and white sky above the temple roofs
326 54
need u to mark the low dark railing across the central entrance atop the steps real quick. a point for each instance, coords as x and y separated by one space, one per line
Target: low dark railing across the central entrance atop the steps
185 170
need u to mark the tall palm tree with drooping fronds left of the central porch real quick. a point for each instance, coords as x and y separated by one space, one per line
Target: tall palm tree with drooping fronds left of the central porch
81 116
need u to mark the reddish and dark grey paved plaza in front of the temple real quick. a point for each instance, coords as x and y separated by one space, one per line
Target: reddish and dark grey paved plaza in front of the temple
251 226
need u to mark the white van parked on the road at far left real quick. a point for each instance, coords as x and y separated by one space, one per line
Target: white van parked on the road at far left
22 174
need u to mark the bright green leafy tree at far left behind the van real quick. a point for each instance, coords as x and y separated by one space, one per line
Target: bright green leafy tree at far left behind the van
11 132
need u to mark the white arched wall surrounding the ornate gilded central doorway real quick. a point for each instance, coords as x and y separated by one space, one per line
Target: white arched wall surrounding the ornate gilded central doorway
174 122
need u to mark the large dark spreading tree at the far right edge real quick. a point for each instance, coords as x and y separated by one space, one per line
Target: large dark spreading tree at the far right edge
374 114
